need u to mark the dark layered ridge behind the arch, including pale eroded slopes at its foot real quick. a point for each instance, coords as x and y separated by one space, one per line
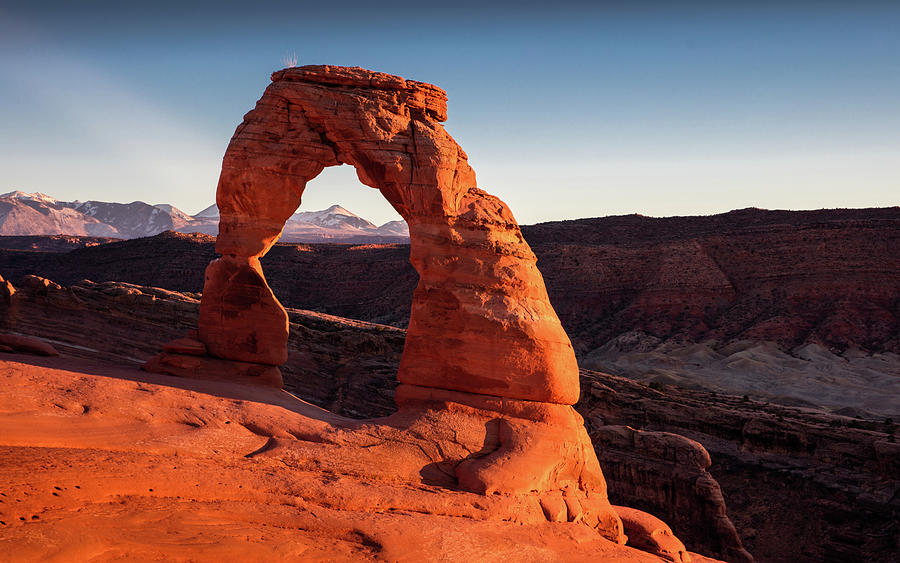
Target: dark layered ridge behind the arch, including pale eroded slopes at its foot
622 286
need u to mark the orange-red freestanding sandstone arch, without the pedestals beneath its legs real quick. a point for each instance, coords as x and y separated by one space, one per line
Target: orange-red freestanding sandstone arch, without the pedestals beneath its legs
481 321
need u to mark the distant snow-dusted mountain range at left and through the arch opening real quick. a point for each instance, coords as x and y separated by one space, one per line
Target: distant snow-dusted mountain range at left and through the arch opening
39 214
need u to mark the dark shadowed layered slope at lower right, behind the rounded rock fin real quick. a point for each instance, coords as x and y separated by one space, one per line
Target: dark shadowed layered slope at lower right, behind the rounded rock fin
800 484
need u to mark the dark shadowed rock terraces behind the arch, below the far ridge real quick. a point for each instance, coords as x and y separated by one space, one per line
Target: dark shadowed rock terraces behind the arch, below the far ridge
830 480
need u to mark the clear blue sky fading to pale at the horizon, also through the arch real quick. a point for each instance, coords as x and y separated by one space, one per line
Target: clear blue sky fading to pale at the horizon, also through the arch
566 109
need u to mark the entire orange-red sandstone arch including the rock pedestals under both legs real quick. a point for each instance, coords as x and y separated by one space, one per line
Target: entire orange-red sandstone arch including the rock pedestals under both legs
484 345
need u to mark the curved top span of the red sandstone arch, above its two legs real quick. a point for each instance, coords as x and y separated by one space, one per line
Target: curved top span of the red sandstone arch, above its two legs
311 117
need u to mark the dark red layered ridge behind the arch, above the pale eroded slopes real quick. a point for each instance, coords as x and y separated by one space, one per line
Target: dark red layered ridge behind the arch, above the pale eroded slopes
789 277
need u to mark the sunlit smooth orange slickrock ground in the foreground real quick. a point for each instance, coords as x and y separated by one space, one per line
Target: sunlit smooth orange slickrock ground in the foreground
104 463
